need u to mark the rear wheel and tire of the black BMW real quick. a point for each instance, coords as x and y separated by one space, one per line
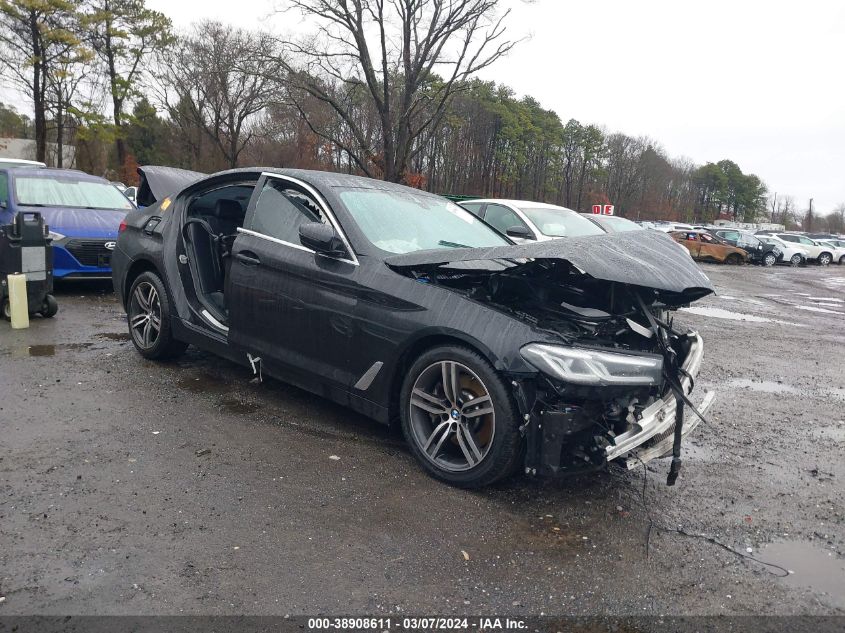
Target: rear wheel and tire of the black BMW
148 309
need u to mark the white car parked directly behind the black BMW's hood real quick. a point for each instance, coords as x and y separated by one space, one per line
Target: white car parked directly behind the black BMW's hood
524 220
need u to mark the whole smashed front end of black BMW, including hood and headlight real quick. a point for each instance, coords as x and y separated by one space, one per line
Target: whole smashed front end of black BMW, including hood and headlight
613 375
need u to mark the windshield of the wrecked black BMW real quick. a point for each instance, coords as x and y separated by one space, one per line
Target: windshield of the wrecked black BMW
403 222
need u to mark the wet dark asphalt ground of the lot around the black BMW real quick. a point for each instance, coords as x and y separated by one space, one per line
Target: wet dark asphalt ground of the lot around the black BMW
134 487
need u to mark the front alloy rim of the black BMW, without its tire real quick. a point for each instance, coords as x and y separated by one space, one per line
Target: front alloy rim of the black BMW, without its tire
452 416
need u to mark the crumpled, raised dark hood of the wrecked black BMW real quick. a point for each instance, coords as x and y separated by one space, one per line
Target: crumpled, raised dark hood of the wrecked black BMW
649 259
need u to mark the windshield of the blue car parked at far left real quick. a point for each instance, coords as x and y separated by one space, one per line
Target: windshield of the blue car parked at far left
68 191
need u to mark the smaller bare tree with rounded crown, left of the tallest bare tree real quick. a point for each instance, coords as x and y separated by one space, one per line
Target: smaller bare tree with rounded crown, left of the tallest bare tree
218 80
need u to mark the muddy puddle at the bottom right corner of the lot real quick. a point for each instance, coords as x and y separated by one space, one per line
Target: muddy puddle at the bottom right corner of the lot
814 568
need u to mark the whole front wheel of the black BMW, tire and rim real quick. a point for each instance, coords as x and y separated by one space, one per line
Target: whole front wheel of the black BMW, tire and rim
468 451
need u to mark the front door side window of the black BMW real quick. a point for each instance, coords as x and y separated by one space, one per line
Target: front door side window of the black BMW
280 210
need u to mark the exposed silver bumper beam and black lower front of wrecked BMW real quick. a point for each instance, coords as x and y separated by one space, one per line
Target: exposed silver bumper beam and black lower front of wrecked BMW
649 432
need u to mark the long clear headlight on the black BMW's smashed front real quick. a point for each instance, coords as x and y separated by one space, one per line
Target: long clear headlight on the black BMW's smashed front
594 367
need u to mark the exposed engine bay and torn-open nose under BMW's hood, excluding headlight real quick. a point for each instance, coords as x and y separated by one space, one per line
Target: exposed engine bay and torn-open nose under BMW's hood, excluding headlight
571 426
